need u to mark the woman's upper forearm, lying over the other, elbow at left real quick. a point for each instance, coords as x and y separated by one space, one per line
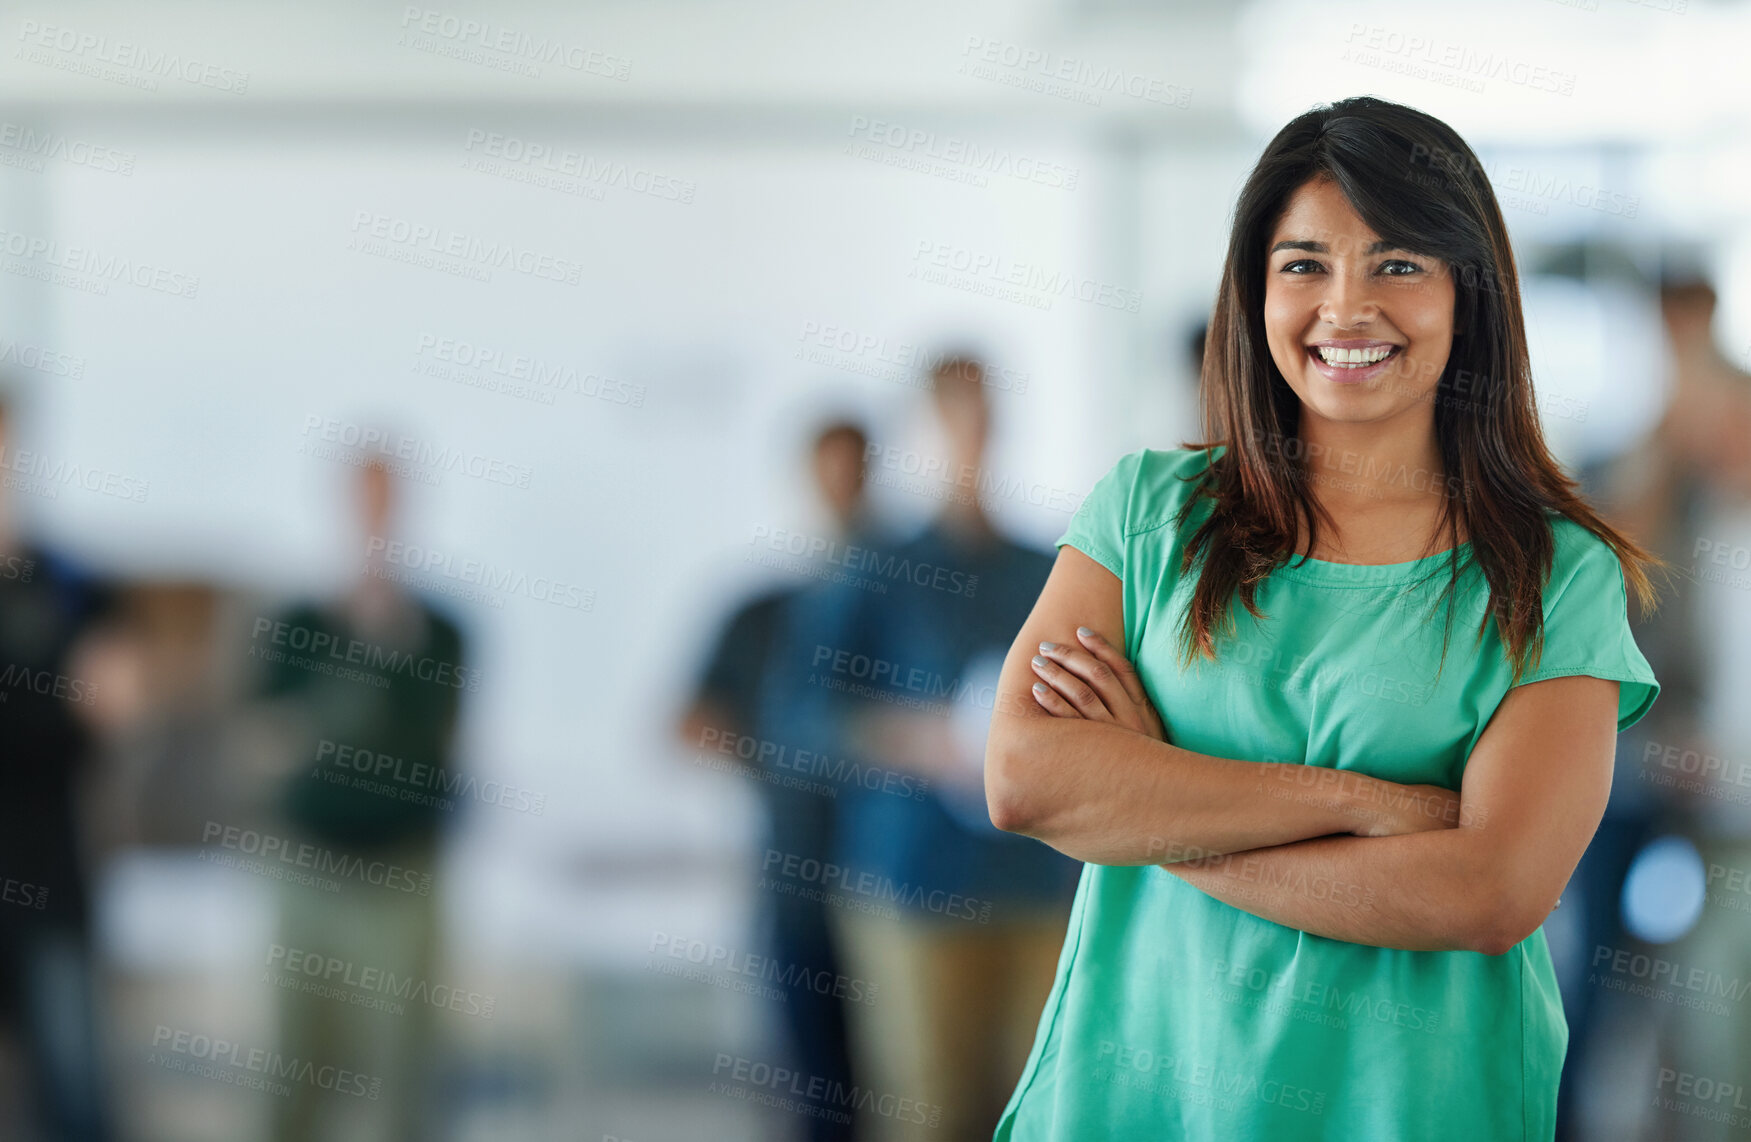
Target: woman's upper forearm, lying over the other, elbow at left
1109 796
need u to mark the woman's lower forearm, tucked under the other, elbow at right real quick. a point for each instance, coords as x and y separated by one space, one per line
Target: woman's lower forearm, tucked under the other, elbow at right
1416 892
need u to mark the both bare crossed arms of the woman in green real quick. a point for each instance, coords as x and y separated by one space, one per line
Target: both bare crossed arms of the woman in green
1076 759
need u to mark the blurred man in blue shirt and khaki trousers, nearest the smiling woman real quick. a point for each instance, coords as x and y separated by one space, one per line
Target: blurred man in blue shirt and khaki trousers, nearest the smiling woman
964 922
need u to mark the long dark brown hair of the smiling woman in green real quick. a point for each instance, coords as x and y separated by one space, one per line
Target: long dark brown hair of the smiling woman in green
1421 188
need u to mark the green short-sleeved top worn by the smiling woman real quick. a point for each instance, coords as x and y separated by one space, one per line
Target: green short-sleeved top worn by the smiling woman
1179 1017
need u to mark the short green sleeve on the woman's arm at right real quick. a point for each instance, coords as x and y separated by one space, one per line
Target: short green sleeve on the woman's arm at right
1587 624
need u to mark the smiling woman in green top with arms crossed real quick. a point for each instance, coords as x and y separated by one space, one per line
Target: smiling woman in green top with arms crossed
1290 924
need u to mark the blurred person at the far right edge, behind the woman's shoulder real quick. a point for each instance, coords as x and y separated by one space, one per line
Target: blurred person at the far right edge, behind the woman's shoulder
1703 451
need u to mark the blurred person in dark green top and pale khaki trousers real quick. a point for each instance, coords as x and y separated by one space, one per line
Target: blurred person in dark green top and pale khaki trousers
370 744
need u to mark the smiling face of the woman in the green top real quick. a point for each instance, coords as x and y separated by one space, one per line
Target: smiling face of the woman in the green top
1358 328
